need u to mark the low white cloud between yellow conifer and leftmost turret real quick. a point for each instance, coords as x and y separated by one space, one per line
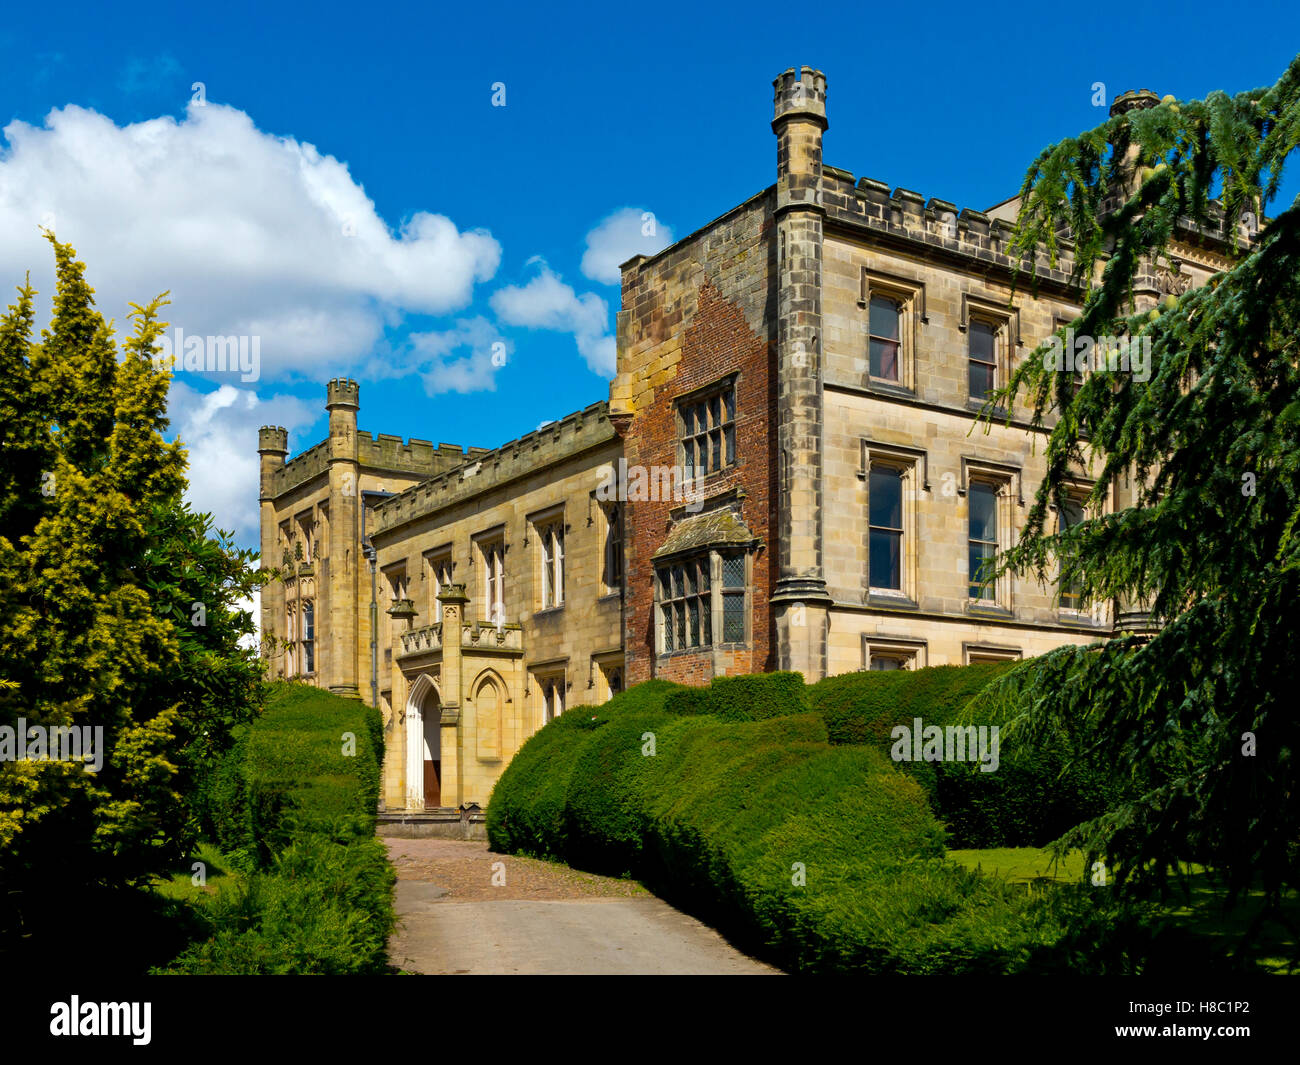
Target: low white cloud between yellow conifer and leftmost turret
220 432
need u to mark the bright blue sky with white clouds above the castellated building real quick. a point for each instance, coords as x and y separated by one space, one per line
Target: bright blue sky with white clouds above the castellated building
350 196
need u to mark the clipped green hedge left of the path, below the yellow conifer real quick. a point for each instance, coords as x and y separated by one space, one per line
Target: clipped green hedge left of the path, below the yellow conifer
297 813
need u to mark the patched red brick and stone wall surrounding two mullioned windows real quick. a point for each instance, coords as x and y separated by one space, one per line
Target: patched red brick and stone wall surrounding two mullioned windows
683 302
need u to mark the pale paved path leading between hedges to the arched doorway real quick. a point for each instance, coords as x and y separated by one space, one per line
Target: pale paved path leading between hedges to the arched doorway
545 919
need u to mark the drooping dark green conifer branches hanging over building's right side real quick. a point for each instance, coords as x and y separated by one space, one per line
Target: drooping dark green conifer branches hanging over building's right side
1204 713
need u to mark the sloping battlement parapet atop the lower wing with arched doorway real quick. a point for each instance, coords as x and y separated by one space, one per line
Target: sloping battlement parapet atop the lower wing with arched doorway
486 470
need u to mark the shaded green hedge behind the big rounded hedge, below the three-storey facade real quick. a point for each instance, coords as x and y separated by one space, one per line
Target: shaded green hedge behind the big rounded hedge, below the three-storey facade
1038 791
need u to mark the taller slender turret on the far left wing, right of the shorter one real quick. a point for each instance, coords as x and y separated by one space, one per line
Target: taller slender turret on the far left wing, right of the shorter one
345 500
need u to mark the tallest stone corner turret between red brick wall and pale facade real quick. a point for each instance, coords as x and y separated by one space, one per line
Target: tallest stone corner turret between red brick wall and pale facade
800 599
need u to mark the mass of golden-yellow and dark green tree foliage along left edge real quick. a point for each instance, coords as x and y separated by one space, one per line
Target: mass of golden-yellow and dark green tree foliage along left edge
103 573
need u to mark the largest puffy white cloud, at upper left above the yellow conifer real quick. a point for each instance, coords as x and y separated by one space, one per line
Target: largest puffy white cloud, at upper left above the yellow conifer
254 235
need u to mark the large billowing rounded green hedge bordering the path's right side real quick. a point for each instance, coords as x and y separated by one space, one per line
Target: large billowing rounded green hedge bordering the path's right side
722 816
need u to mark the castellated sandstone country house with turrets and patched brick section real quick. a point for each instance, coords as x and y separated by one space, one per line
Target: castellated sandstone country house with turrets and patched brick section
788 475
